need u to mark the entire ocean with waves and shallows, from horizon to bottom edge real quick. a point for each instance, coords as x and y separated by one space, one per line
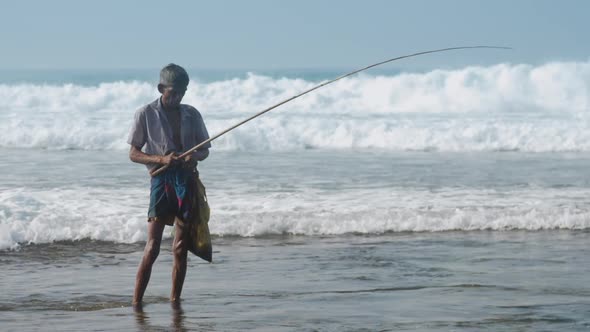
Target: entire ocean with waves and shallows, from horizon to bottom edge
443 200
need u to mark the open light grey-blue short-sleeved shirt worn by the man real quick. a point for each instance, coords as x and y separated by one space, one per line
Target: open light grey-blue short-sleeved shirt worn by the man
152 132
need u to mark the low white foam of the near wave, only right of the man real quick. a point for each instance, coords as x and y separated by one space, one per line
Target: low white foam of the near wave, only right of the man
395 210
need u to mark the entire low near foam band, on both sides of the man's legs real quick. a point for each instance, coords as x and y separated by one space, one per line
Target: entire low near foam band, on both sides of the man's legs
42 216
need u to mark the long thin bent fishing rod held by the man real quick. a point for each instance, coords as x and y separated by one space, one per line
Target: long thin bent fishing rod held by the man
163 168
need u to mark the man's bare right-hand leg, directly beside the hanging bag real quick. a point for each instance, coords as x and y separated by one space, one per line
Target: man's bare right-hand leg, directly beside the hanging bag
180 251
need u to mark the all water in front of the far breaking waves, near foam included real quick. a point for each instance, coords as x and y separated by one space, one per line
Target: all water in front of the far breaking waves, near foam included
305 241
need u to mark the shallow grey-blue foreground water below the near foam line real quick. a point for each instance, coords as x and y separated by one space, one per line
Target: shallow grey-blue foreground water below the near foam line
459 281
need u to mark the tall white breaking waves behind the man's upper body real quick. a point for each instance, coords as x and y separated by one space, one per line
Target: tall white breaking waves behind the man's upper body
502 107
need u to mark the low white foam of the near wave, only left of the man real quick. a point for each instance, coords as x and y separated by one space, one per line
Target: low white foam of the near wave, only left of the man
37 216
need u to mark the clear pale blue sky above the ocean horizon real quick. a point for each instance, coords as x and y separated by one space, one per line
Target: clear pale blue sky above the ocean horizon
306 34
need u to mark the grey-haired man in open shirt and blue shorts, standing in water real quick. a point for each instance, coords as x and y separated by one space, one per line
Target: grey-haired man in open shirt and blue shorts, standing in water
164 129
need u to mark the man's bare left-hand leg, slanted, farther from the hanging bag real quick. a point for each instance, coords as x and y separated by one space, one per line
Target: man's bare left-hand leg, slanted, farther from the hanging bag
150 253
